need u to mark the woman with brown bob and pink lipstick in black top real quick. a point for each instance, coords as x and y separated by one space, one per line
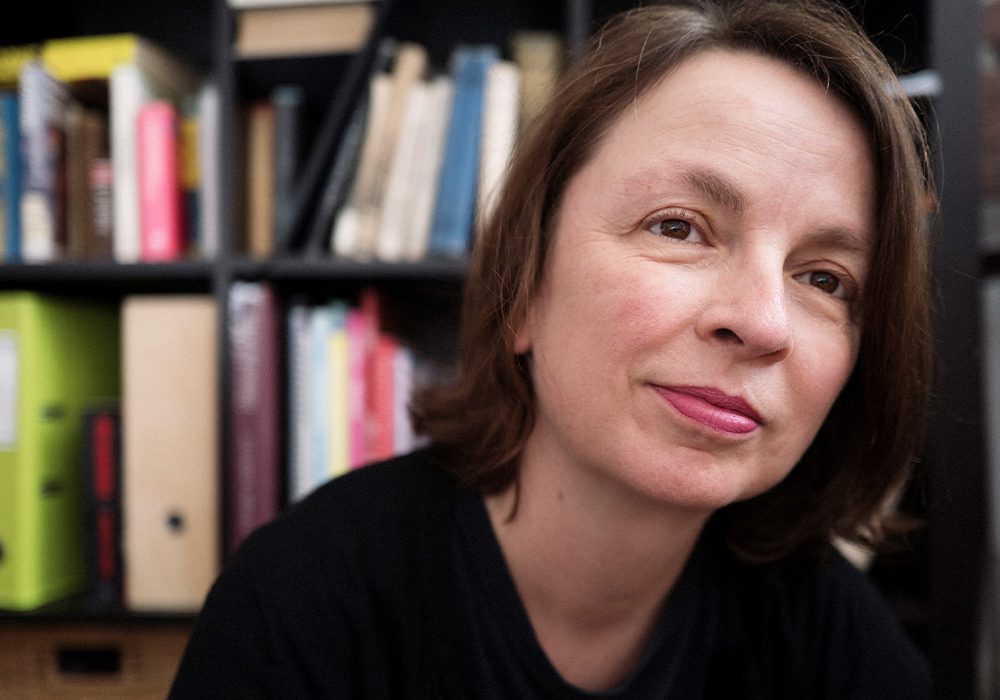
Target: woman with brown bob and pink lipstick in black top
695 347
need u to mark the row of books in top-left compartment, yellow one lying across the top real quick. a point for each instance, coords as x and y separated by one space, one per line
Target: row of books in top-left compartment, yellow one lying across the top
107 140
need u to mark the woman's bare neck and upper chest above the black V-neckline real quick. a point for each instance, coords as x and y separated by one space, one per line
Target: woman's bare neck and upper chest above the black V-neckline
593 563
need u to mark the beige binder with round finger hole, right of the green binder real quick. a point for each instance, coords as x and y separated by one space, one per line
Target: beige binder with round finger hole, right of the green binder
170 449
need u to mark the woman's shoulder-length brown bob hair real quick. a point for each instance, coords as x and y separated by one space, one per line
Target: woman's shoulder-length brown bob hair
867 446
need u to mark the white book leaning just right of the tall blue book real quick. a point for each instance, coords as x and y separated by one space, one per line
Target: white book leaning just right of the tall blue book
500 126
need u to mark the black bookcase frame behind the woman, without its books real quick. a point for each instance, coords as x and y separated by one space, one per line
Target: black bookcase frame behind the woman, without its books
937 588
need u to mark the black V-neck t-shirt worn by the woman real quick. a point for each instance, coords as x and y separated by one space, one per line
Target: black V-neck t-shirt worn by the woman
389 582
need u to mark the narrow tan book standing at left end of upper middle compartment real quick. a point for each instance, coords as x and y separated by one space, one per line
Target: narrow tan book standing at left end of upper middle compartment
260 174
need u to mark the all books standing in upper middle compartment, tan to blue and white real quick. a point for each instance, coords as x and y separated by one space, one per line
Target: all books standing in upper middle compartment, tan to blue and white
420 158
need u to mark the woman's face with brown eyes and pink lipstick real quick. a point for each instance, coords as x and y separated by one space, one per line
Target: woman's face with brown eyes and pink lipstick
696 319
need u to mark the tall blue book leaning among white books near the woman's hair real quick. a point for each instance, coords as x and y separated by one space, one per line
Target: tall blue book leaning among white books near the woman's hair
455 205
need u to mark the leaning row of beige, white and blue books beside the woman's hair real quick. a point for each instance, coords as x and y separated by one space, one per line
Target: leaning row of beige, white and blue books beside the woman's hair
429 152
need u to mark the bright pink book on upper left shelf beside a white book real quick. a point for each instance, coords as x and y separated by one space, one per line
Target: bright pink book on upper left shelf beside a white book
161 217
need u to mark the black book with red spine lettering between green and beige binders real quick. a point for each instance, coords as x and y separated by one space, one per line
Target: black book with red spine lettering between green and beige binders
102 502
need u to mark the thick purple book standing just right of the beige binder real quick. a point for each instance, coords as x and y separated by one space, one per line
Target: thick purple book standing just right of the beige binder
253 496
